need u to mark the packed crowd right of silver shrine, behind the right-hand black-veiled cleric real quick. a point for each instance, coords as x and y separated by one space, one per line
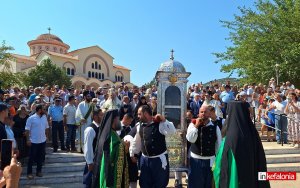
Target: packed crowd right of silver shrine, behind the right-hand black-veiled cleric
275 107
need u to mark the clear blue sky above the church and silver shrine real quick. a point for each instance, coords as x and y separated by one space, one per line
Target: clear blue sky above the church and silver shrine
137 33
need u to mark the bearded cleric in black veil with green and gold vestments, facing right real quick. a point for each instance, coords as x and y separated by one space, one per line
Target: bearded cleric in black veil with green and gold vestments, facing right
110 164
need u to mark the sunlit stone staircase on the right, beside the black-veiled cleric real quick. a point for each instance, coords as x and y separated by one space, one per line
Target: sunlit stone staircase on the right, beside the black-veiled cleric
280 158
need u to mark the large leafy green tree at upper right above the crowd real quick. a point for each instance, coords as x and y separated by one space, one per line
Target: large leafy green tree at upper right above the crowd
262 37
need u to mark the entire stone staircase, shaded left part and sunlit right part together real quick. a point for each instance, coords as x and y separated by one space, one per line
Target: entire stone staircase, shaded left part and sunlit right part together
64 170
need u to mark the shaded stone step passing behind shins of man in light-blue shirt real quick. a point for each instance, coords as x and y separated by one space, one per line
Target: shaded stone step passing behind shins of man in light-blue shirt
58 168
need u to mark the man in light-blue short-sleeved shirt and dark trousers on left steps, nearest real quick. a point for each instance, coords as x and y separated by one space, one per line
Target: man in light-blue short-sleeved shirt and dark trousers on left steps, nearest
36 130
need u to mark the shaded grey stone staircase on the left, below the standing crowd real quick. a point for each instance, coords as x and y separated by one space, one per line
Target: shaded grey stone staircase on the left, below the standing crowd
61 169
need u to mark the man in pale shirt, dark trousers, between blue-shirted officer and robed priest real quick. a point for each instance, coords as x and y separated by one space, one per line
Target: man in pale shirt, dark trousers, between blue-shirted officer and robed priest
69 123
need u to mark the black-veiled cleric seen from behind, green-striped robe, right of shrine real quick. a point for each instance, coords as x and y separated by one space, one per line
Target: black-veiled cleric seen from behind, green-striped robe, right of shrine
241 155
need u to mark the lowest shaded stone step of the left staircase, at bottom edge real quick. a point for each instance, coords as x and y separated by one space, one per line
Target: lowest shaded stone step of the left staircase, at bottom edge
53 178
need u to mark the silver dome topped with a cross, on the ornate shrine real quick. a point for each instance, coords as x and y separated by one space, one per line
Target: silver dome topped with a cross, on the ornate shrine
171 65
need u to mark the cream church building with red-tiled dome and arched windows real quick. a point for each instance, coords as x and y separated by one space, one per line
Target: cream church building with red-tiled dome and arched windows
90 65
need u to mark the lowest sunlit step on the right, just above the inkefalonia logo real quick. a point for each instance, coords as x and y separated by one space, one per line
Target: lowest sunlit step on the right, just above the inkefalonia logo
284 167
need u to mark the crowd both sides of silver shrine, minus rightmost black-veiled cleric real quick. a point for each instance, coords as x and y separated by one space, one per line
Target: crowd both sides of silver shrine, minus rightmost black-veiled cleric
119 130
